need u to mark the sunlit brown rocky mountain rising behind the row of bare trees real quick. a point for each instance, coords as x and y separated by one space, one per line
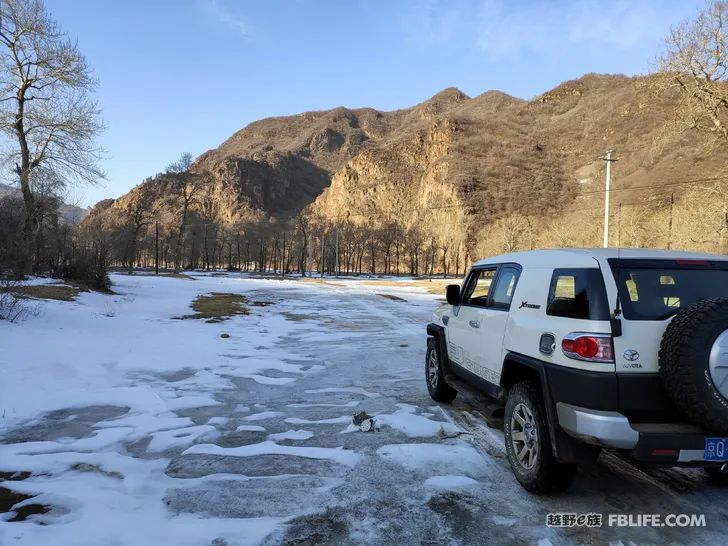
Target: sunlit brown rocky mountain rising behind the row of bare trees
455 164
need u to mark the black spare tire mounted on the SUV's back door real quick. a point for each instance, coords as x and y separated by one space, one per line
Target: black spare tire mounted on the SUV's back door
694 363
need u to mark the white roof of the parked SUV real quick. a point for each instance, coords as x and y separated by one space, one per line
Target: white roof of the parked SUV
586 257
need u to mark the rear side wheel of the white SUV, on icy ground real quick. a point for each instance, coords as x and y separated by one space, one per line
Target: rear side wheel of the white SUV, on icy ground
528 442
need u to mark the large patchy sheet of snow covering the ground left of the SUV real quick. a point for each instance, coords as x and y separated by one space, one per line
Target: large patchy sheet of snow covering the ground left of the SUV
138 386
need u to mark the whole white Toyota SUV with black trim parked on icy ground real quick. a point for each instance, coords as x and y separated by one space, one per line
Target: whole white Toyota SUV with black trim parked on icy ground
592 348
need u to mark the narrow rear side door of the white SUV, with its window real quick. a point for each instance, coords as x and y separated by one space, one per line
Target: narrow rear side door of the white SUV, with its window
495 321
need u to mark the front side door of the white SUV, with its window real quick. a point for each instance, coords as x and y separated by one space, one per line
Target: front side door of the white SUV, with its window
466 324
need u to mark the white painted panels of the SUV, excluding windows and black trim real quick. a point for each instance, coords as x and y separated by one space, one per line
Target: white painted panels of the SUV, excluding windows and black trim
482 350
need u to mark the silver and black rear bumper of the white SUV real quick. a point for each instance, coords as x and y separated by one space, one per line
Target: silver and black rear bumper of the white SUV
661 443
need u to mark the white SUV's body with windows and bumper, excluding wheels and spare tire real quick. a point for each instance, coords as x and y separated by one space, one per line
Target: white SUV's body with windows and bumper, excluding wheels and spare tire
519 327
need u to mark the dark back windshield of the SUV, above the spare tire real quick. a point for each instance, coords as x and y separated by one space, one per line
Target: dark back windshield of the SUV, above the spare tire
658 289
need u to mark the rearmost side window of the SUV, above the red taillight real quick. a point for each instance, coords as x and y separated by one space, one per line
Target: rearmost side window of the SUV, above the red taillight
578 294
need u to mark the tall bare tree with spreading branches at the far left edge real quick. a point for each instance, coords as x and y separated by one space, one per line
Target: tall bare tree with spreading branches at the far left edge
45 109
